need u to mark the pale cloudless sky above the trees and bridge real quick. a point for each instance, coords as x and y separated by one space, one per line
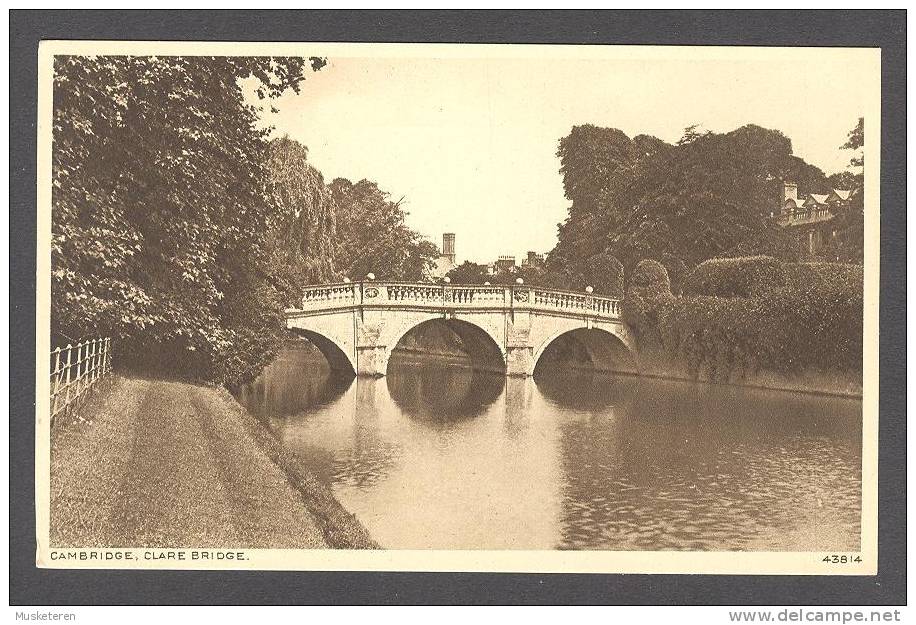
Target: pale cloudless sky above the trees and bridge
470 143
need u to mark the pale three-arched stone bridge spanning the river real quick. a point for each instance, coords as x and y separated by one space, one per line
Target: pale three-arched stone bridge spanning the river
508 329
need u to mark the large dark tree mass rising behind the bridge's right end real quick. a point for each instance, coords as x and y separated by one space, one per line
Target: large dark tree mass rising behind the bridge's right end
642 198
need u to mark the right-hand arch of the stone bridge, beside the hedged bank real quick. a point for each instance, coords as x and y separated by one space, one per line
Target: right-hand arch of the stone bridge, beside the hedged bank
598 348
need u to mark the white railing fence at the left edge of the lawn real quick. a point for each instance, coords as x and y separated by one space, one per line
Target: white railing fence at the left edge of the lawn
75 371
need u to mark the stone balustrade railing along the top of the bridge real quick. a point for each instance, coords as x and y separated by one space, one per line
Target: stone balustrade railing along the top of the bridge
521 297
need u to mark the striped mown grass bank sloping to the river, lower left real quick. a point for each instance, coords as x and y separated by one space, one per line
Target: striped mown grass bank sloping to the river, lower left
161 463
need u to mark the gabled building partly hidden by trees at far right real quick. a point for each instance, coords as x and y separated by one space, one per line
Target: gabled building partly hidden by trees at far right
809 217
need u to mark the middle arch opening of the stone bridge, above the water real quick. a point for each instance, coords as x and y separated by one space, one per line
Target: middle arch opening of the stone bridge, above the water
483 350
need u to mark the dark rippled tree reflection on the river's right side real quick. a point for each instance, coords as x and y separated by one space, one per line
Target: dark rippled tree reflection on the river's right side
688 466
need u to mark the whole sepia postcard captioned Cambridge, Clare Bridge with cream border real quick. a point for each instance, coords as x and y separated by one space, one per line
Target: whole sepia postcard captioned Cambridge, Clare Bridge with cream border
458 307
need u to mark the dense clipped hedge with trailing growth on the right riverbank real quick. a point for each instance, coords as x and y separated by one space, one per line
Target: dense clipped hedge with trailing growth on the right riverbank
811 317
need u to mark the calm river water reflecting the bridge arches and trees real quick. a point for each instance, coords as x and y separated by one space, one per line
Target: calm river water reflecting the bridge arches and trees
436 456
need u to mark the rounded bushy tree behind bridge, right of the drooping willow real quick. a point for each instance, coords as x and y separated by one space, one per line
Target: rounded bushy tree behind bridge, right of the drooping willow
373 236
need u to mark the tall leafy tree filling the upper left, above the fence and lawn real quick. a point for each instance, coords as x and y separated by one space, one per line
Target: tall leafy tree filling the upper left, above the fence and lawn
161 208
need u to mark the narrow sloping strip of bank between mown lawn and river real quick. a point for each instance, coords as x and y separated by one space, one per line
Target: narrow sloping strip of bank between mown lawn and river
341 528
